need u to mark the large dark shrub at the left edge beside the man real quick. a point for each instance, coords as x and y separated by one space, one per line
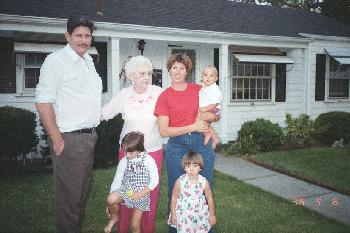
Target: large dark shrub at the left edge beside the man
17 134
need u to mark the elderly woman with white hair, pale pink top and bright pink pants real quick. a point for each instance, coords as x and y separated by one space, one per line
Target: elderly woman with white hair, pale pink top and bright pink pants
136 104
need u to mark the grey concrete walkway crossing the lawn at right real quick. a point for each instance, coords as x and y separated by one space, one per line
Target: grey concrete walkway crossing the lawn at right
324 201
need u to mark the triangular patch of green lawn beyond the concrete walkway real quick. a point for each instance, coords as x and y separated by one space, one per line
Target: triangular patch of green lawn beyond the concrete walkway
329 167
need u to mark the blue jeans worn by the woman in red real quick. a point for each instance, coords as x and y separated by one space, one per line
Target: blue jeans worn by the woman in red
177 147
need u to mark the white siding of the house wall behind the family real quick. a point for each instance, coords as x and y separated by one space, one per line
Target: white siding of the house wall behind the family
300 84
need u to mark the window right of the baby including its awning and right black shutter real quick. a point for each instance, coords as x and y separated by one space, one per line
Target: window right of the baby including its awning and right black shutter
259 77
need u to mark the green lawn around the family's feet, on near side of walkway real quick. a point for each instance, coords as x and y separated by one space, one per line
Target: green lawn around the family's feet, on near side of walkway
26 207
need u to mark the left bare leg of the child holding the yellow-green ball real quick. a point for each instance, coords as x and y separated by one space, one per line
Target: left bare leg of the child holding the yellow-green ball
113 201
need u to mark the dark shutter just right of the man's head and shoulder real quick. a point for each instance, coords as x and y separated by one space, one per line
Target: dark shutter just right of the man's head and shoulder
101 63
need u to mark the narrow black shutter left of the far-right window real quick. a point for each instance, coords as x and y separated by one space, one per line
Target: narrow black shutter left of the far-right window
320 77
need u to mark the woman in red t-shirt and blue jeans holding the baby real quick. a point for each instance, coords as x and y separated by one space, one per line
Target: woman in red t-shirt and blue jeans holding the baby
178 119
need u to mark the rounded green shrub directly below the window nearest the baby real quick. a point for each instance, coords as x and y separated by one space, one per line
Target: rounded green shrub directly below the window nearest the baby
259 135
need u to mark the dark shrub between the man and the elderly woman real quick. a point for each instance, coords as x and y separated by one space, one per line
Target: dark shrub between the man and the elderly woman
108 142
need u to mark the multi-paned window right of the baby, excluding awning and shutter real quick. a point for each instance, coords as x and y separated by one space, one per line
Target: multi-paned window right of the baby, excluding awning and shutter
251 81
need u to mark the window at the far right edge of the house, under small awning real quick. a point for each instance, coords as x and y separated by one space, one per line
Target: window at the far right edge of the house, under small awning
339 77
